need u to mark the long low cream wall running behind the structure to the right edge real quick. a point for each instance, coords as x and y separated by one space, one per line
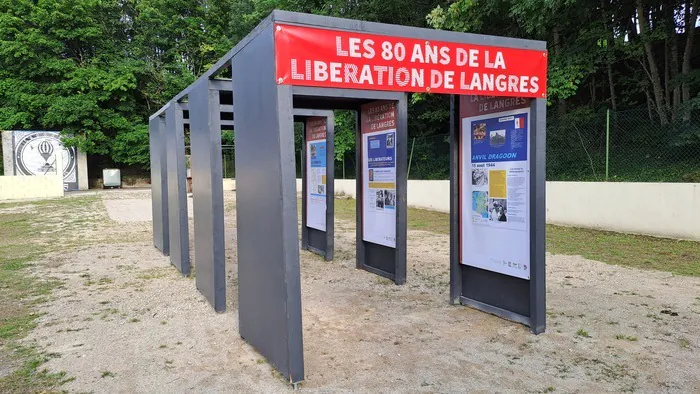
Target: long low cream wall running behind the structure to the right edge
660 209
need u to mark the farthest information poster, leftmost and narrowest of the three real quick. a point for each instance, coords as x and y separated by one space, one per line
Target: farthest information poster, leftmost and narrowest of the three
316 173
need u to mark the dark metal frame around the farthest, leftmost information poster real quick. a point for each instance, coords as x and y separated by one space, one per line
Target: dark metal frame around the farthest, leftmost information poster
309 236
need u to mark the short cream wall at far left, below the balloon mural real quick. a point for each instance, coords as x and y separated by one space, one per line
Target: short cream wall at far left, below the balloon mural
27 187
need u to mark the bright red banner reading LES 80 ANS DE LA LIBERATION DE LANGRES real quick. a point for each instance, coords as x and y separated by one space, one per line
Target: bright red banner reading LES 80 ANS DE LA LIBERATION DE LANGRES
339 59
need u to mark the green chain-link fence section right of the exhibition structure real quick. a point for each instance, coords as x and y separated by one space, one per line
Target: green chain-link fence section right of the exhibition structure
624 146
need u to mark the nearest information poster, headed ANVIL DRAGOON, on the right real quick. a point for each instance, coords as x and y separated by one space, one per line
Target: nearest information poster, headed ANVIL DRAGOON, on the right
495 184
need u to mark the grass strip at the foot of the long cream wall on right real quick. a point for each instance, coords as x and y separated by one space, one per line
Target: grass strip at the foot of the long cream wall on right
678 257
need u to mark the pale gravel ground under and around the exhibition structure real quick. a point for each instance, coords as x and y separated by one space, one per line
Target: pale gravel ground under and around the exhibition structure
126 321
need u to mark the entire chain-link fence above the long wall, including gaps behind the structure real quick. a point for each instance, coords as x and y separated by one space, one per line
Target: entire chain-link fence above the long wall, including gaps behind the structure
624 146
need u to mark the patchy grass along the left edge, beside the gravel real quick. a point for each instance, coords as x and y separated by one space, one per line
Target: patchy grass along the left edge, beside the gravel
27 232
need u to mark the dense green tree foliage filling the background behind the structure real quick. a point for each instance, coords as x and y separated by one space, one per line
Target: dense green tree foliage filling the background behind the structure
95 69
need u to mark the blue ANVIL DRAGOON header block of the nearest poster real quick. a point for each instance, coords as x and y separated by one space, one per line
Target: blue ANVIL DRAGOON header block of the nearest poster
499 139
